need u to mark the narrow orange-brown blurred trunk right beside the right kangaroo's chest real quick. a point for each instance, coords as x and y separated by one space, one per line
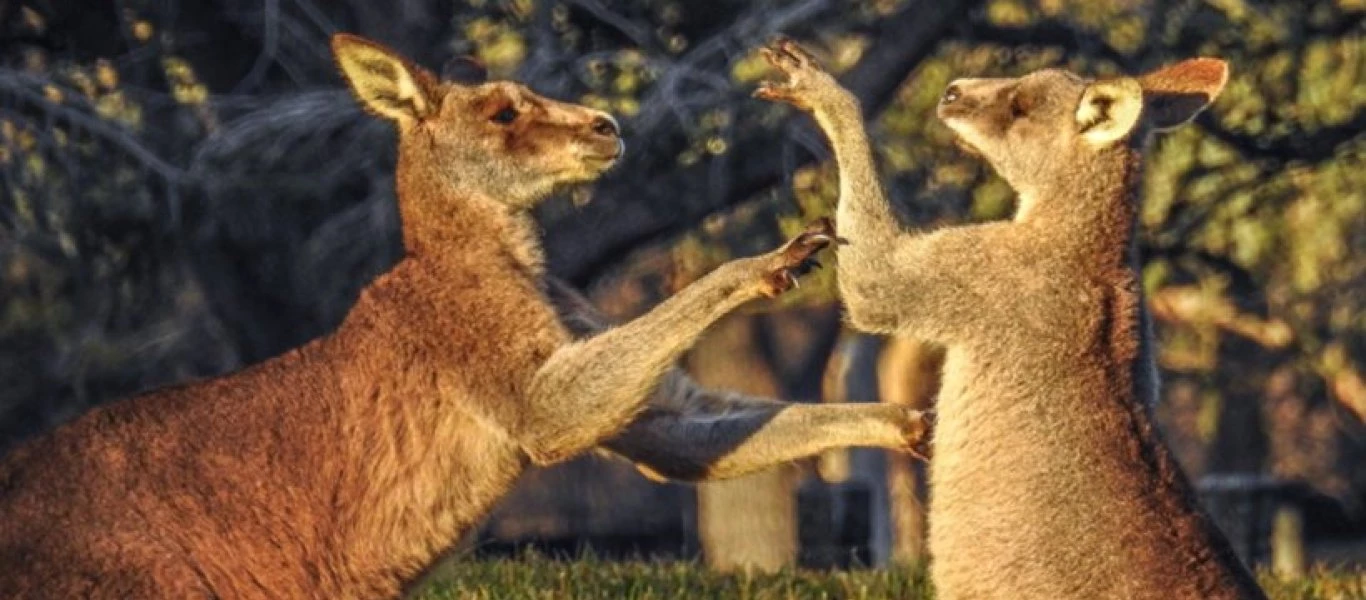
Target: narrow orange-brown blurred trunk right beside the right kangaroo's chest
909 375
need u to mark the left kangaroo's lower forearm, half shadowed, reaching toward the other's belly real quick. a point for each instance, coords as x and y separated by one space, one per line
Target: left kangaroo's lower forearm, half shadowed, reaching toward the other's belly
756 437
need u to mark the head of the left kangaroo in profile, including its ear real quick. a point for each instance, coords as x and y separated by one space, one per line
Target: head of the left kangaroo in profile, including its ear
497 139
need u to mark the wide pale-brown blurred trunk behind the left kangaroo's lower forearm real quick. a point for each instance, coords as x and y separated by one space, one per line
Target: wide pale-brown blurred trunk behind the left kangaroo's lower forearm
747 523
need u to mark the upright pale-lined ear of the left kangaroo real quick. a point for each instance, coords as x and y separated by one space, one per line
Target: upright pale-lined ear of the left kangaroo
387 84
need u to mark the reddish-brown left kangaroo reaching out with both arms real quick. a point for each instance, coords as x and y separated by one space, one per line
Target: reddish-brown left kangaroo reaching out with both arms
342 469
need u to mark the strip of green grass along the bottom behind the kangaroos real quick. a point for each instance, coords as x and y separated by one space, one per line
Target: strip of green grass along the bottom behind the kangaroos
540 579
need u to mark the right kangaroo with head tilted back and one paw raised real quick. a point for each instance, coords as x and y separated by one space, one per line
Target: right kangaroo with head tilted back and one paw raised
1050 479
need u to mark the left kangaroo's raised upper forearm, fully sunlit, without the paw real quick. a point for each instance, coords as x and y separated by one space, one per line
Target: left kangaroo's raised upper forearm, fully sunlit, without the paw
591 389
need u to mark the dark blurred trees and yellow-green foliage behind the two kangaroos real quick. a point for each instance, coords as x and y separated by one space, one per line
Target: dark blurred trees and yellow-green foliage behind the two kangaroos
188 189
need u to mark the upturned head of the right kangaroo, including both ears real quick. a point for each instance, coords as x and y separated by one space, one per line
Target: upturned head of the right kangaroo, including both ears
1035 128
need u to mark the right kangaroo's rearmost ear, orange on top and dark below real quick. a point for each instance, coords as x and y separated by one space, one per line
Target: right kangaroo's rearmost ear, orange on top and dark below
1174 95
